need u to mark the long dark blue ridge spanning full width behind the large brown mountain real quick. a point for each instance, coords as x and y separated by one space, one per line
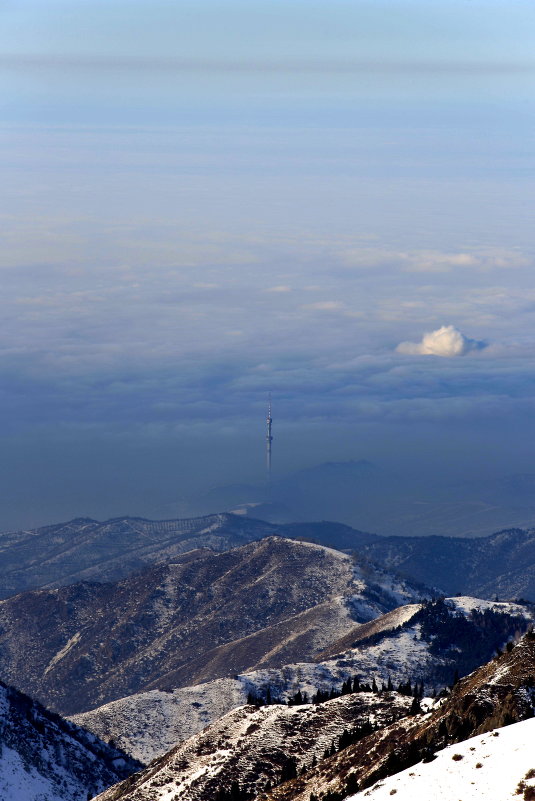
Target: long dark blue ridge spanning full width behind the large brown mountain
501 564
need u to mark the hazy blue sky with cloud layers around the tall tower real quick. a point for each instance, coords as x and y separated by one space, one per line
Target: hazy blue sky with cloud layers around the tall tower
206 202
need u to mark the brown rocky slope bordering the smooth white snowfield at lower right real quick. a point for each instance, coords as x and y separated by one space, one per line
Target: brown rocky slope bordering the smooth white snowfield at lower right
498 693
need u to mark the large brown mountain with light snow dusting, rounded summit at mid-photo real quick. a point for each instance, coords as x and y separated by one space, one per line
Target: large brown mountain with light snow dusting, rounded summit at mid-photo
201 617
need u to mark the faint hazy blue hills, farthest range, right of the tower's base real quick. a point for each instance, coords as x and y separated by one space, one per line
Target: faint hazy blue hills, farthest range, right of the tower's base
365 495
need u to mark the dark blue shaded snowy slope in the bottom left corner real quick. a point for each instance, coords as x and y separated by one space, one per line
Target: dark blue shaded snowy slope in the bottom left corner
46 758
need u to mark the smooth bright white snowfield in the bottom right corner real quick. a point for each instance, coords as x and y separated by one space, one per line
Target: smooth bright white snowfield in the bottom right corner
496 766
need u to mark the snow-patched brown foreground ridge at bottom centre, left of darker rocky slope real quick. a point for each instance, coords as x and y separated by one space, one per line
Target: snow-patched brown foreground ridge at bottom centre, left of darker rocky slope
257 747
